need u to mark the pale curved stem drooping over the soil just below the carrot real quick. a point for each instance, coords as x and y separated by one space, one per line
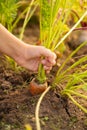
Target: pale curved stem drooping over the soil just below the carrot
38 107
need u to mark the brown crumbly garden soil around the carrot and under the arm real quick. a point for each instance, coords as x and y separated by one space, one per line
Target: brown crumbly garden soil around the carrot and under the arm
17 105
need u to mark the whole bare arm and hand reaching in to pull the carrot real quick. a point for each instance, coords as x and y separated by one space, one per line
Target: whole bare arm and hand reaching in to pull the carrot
27 56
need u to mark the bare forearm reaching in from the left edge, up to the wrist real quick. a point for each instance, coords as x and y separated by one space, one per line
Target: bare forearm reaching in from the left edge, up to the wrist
9 44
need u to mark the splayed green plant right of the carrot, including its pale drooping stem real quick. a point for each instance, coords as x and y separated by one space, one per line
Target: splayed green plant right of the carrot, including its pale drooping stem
68 85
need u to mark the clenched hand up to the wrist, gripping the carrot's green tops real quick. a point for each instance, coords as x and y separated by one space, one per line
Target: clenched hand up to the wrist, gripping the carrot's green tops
34 55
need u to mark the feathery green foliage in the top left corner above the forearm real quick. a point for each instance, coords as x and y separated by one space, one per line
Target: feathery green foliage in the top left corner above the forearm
8 12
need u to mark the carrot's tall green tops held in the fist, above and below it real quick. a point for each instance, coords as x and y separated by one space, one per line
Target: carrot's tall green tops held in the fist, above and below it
54 28
